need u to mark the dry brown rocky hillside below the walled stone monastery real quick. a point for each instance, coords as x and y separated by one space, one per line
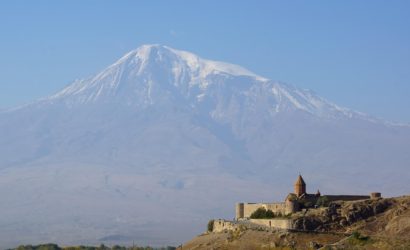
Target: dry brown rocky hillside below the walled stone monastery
367 224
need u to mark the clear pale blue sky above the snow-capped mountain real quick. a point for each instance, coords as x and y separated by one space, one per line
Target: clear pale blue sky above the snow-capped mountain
353 53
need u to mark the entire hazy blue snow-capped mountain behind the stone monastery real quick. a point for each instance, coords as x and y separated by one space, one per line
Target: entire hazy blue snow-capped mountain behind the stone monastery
160 141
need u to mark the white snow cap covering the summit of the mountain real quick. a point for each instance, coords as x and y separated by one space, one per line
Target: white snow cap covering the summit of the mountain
183 68
